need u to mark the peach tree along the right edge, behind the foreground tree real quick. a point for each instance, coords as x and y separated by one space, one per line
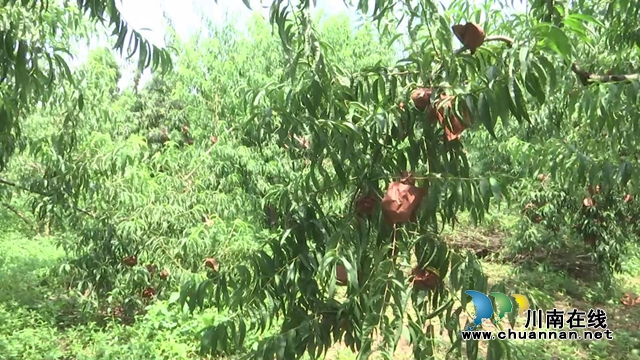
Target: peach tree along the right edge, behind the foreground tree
572 161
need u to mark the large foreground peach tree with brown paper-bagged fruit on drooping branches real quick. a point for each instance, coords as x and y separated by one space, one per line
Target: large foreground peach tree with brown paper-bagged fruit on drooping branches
385 141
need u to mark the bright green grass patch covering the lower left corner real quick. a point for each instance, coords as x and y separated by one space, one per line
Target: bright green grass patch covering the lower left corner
32 313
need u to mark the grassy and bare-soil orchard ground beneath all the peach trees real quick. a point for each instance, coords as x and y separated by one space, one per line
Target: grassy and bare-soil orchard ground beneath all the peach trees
42 320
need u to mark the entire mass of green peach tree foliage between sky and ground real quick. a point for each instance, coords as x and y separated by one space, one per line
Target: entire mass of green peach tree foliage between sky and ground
263 170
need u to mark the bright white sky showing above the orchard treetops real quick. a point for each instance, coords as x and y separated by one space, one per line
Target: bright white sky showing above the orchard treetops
146 16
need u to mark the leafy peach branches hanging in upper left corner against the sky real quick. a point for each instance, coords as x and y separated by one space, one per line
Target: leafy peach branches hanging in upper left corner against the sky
37 37
